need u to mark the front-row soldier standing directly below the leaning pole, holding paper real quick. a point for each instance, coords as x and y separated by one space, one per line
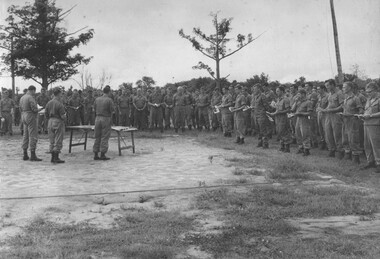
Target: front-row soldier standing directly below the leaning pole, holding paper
333 125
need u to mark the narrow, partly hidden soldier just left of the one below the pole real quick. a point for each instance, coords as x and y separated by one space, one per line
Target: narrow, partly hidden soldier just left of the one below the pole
322 104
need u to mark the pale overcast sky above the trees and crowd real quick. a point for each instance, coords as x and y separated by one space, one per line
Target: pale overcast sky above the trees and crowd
136 38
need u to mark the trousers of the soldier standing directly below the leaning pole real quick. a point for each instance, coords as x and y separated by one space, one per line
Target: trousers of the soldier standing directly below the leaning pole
333 132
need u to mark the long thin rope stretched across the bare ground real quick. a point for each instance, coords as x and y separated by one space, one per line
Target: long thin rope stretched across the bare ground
127 192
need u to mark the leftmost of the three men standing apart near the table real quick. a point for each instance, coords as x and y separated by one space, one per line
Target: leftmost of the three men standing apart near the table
29 112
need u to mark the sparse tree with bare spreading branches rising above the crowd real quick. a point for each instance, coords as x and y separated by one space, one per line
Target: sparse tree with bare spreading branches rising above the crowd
217 49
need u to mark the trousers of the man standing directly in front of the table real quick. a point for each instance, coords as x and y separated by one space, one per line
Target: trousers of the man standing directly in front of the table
102 133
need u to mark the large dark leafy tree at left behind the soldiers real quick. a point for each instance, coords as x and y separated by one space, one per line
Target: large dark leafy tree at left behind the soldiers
41 49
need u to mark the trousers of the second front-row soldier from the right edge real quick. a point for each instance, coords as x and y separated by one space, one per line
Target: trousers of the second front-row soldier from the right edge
350 135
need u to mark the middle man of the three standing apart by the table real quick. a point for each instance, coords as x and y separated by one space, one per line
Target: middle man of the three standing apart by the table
56 116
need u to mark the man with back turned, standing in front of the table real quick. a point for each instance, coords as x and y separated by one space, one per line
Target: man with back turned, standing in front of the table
104 107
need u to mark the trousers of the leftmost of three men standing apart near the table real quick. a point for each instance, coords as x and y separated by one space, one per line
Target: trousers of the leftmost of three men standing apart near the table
30 137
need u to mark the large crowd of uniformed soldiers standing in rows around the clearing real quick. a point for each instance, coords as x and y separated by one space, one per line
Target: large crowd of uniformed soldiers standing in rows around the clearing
343 119
